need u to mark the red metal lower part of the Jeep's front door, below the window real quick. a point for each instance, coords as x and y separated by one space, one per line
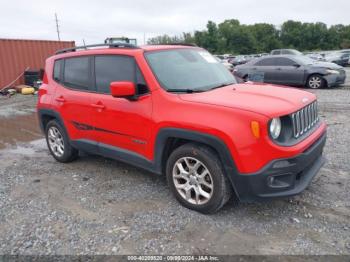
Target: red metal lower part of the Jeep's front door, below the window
126 120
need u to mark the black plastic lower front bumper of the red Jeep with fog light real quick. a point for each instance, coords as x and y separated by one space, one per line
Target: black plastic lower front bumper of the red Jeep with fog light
283 177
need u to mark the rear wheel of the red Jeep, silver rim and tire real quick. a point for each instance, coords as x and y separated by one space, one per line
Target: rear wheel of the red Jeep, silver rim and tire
58 143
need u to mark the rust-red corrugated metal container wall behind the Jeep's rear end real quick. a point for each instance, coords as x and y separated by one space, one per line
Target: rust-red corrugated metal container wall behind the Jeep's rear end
16 55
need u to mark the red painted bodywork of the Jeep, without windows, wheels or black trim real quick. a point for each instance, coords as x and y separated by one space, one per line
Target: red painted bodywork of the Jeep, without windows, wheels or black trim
225 113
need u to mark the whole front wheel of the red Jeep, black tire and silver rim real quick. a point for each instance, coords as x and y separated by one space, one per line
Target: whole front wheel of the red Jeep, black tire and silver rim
196 178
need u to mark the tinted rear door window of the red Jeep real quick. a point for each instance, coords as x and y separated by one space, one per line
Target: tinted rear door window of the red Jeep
77 72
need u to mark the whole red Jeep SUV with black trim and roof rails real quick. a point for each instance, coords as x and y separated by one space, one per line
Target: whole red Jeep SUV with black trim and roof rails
175 110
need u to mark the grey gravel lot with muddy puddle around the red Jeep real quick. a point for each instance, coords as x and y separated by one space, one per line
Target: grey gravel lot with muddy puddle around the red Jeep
100 206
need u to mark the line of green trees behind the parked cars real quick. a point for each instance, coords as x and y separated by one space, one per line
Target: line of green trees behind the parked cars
232 37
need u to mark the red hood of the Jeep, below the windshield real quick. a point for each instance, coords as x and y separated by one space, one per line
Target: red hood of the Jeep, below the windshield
266 99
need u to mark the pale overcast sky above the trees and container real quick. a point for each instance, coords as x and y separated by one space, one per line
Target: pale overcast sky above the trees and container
93 21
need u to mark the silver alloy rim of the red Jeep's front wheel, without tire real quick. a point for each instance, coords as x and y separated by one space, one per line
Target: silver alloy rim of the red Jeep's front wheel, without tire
193 180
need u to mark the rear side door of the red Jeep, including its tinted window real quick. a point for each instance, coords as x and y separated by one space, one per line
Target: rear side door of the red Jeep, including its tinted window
72 98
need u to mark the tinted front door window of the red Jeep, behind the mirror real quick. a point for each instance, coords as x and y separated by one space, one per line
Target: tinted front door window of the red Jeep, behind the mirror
117 68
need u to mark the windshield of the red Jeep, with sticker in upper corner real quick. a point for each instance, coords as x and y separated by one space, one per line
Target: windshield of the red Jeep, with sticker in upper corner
188 70
